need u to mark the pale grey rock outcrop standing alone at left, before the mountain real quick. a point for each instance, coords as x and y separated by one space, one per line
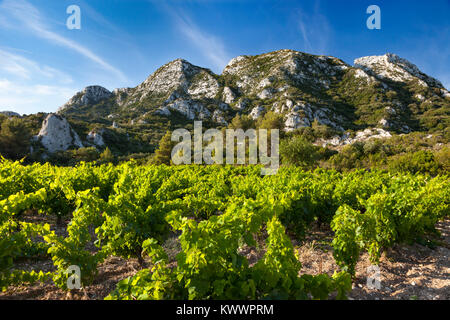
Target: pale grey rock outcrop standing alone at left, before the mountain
57 135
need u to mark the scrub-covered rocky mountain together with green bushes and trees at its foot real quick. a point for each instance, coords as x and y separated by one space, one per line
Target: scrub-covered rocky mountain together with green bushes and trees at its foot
319 98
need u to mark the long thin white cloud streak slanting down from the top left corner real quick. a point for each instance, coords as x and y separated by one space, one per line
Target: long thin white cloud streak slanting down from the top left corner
30 17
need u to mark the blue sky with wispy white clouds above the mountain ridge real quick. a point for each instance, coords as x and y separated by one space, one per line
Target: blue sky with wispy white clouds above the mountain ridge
121 42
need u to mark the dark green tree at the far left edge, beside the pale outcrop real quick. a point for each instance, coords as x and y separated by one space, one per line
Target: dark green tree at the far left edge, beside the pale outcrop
14 139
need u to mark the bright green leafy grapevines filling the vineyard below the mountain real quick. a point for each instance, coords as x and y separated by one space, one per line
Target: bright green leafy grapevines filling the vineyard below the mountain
213 212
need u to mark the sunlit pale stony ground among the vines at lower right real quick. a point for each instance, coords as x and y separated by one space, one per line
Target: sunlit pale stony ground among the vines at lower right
406 271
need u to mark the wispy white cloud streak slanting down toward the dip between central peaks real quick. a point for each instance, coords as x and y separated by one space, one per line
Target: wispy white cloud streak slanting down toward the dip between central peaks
209 45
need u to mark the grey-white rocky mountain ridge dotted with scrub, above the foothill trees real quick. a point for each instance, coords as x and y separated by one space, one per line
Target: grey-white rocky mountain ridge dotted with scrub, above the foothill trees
379 92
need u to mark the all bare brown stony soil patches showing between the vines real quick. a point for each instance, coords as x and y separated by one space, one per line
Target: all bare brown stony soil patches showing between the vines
407 271
